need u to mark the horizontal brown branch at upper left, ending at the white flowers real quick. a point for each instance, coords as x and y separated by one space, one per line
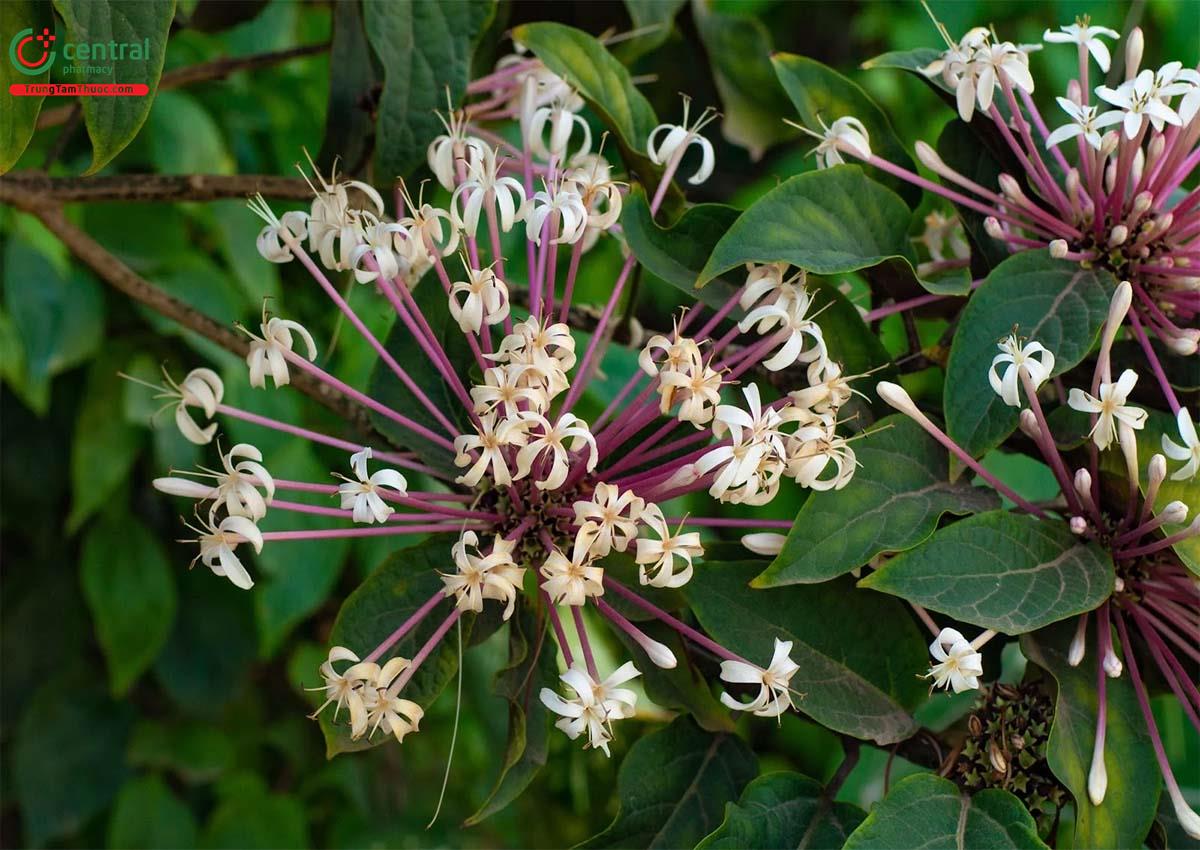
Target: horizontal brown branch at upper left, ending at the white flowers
17 188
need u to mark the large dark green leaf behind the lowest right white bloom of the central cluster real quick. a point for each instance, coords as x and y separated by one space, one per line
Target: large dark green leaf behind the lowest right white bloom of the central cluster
837 633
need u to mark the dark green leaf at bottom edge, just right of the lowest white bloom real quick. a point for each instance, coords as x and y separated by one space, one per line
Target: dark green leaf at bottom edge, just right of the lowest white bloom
674 787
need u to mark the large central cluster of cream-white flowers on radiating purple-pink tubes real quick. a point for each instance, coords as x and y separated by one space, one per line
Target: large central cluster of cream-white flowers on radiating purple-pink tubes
539 492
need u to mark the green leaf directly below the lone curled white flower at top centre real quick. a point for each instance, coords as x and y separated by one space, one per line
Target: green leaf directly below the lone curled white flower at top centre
679 253
